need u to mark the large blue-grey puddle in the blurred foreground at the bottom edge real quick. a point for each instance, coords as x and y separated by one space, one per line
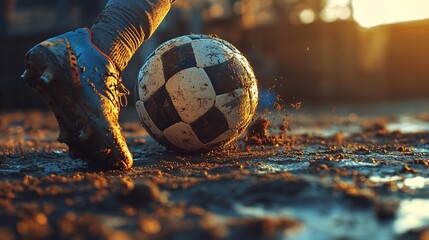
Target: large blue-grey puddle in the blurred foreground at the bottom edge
324 221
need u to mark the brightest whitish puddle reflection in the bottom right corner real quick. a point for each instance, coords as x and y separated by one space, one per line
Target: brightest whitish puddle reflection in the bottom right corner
412 214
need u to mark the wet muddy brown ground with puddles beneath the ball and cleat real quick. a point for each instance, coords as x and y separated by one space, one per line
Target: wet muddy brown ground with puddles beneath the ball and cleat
324 177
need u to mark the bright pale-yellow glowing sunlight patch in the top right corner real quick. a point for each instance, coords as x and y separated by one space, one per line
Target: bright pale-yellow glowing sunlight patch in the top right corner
370 13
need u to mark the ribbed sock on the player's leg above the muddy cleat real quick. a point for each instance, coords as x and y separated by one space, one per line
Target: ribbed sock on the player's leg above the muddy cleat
123 25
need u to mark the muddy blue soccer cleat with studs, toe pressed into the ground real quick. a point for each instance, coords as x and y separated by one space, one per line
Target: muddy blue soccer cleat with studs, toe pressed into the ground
84 90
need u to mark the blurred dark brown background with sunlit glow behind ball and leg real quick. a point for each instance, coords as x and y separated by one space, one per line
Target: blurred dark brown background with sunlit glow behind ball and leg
314 51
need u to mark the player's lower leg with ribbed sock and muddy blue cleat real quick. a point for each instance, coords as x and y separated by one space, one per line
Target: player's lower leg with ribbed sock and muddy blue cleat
79 75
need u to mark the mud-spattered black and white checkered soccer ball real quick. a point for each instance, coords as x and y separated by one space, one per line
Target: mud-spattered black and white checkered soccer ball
196 93
